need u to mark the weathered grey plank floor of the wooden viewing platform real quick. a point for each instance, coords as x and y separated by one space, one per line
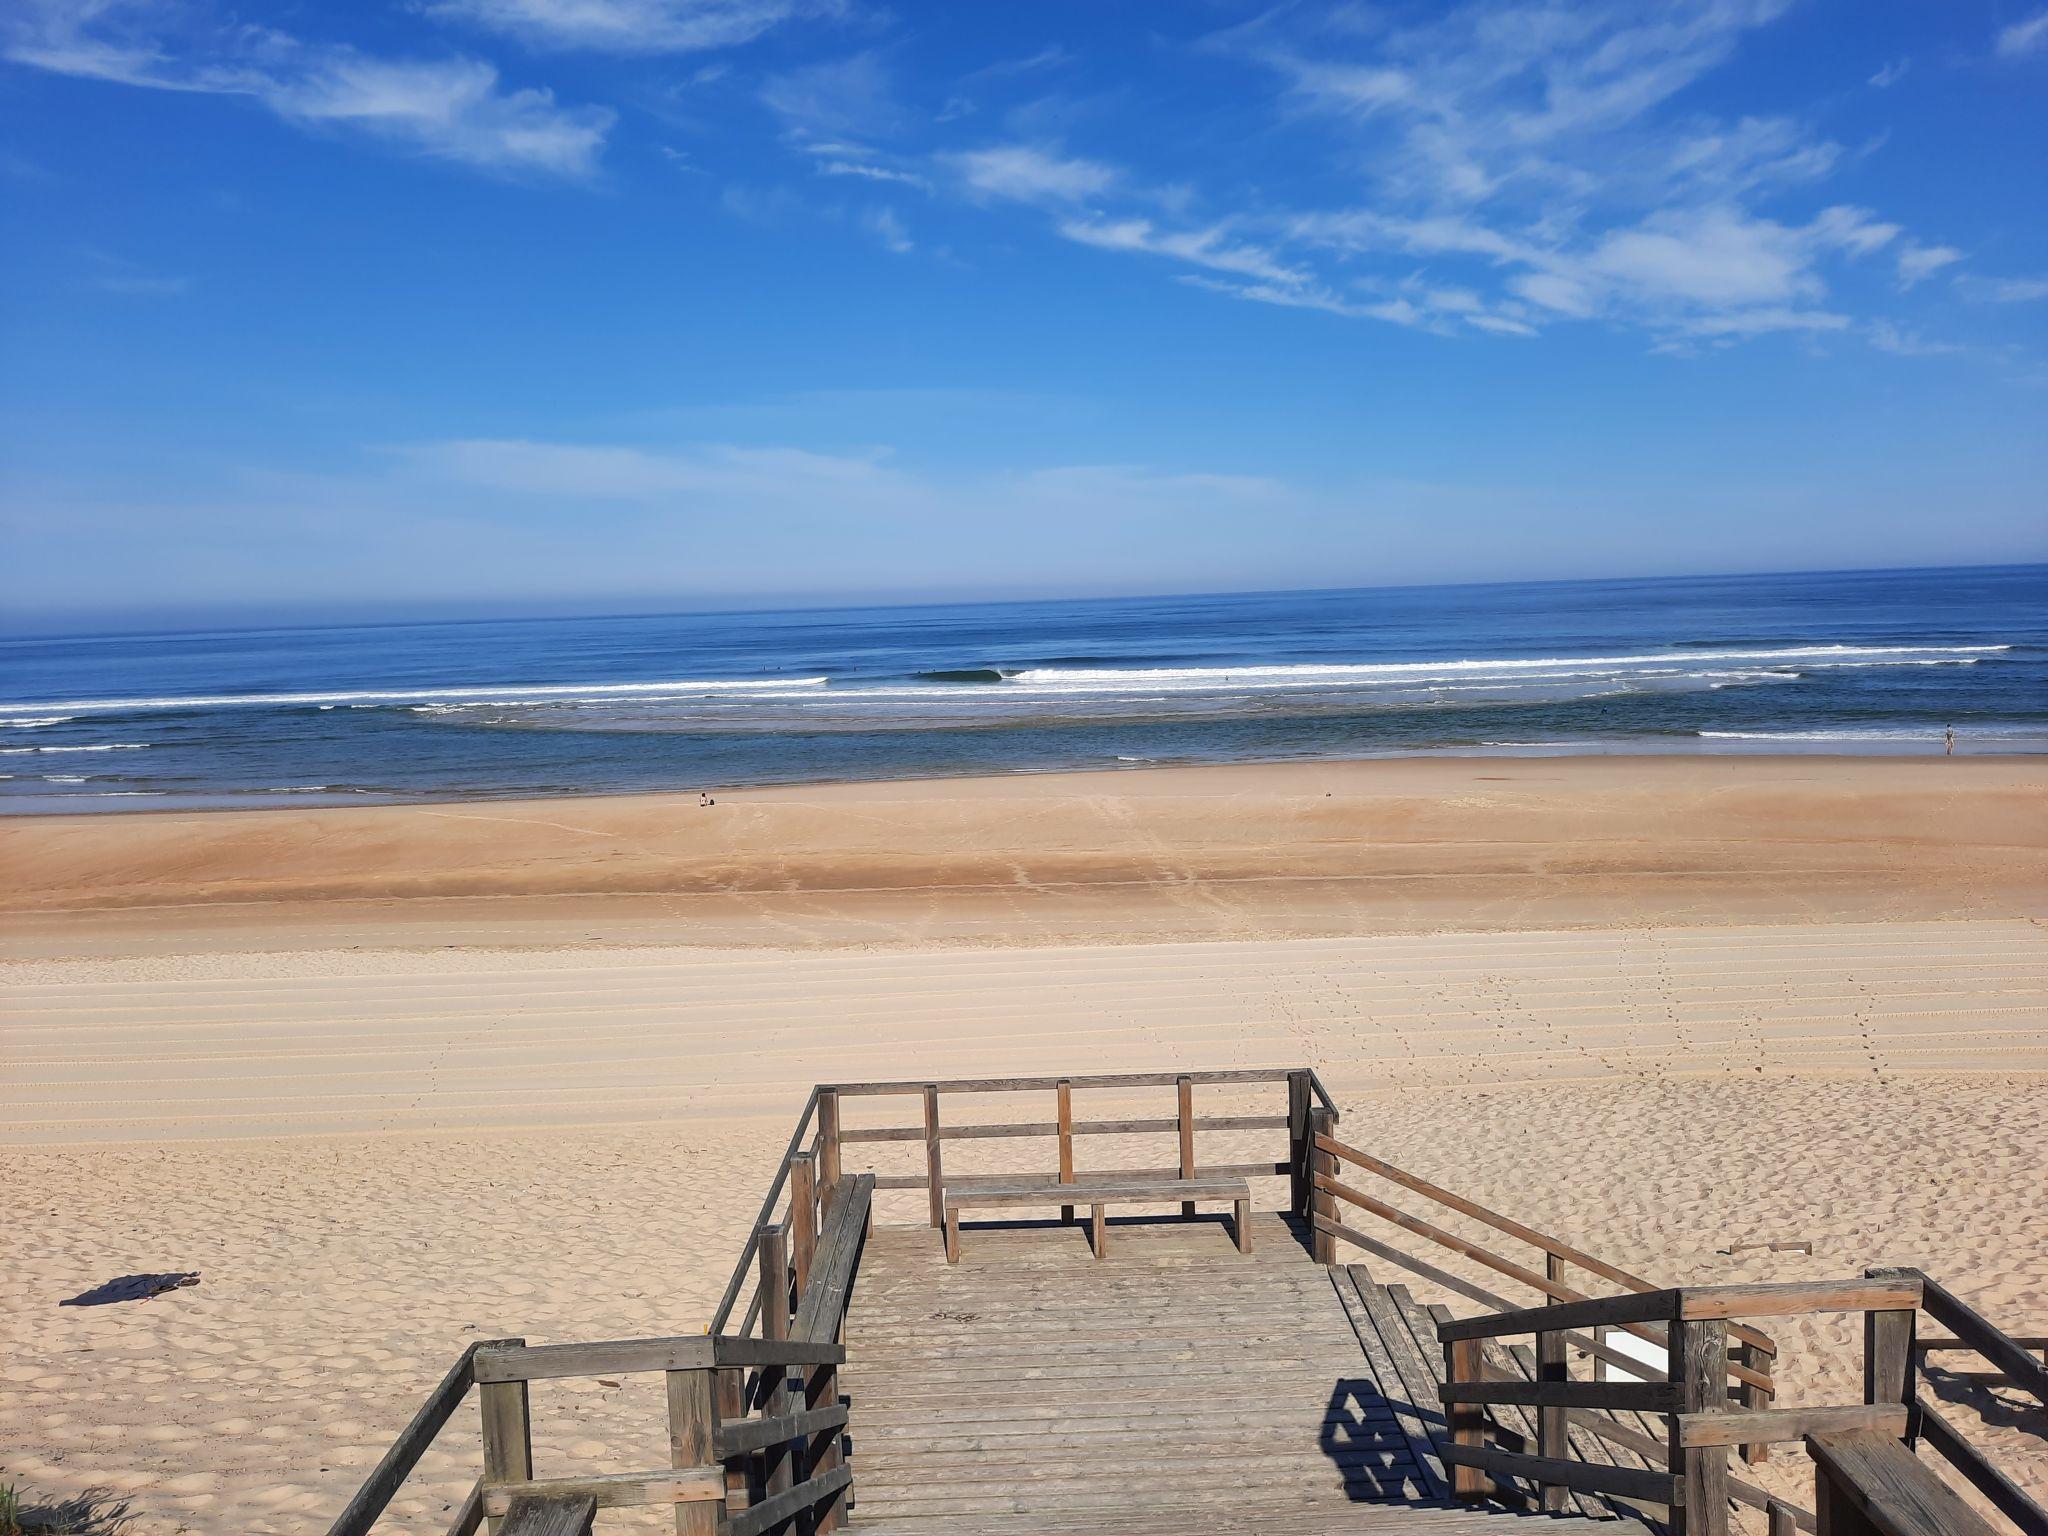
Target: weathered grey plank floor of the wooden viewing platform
1031 1388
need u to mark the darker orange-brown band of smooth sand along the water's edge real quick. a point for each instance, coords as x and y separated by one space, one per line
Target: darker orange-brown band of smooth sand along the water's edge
1304 849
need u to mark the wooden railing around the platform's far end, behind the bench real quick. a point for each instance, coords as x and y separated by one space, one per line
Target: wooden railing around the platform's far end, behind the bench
818 1150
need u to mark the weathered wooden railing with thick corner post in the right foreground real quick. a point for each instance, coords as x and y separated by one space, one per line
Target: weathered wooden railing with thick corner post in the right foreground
1695 1484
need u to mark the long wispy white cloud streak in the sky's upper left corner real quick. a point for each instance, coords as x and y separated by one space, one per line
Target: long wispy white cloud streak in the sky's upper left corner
450 110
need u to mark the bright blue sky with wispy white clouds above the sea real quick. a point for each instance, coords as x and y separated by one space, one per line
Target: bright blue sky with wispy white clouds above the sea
544 306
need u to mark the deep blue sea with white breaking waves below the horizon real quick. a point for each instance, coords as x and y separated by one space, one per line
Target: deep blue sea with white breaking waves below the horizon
1840 663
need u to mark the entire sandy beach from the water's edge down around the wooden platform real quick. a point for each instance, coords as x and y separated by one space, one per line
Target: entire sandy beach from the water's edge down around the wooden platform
1719 1002
